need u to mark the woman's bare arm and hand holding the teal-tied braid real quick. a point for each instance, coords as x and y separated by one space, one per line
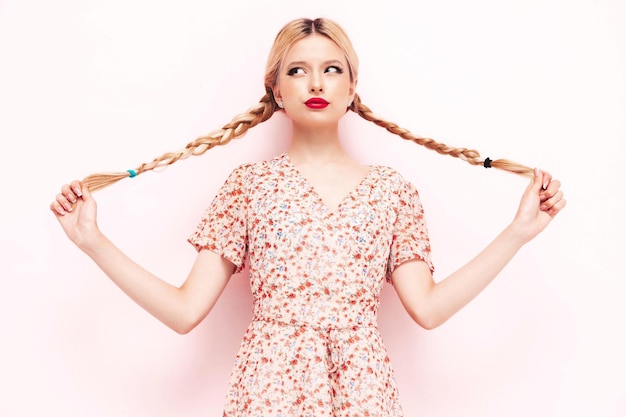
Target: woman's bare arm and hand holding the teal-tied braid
180 308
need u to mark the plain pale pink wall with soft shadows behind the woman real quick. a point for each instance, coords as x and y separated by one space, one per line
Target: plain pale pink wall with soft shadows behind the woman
91 85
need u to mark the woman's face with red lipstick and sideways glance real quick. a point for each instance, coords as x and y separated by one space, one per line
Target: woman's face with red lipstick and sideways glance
314 82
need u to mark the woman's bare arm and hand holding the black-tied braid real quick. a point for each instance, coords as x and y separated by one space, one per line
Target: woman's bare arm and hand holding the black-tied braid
430 304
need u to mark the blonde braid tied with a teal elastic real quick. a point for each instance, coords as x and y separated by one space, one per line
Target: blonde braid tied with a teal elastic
237 127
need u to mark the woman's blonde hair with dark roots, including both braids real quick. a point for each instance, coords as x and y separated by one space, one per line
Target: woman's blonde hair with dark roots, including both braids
265 108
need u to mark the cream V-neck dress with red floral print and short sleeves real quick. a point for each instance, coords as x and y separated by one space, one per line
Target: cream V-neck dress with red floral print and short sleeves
313 348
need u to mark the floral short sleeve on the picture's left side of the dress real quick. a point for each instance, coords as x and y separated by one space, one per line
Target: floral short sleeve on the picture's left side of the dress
223 228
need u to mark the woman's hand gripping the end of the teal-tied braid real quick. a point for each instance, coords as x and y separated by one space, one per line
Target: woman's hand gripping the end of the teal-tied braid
75 209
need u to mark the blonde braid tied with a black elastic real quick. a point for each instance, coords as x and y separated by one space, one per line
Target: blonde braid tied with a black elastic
469 155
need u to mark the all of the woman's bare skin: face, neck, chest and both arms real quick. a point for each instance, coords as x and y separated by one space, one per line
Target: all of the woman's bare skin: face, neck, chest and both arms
312 67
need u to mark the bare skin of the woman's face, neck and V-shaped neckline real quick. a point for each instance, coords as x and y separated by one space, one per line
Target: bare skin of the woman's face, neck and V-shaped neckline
316 67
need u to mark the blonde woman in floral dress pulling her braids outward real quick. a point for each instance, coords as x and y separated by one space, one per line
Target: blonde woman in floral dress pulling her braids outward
322 233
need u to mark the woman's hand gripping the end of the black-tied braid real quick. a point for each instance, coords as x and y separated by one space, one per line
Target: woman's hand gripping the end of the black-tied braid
541 202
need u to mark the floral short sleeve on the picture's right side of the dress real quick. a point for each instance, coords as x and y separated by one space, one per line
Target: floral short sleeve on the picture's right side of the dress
410 234
